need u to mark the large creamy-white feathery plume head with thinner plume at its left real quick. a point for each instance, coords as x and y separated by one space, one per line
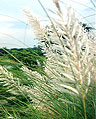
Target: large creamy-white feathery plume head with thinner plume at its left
68 51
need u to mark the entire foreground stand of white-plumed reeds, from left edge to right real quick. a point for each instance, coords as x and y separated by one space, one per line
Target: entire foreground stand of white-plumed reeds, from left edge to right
66 88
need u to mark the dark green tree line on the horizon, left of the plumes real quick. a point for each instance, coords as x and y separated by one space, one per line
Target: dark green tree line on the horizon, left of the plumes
32 57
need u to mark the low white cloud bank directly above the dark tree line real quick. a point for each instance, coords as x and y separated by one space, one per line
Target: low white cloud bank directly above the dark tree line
16 37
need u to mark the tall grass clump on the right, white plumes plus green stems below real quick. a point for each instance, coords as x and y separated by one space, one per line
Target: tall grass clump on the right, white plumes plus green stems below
70 66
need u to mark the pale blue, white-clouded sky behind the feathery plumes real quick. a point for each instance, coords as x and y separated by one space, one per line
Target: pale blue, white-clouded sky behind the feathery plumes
13 29
